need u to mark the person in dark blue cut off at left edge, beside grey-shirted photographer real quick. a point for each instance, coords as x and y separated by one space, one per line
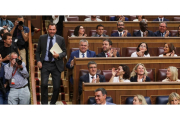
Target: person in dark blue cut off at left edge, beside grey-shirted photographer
4 87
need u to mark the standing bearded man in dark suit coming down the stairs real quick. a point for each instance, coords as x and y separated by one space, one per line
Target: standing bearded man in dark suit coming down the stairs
50 63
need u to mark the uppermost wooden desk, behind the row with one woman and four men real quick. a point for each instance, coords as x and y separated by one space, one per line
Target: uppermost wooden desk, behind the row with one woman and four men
112 25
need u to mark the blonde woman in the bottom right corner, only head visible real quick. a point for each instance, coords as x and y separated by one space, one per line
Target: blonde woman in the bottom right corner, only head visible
174 99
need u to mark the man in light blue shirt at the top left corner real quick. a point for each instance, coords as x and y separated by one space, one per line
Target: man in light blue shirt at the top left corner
4 23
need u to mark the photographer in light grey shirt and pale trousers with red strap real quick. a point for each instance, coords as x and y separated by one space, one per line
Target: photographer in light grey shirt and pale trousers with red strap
16 73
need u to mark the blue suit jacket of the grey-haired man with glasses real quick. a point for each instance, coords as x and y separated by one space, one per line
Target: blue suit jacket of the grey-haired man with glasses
76 54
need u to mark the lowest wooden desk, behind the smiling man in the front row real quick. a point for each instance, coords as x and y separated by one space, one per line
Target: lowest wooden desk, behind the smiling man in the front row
120 91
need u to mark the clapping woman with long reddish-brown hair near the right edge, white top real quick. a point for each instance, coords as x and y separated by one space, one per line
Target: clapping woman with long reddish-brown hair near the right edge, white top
169 50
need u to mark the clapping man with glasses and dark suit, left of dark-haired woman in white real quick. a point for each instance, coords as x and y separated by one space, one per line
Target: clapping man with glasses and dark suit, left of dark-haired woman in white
91 77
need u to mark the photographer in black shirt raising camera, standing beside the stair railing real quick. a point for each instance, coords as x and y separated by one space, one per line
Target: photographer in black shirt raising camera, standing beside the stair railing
20 36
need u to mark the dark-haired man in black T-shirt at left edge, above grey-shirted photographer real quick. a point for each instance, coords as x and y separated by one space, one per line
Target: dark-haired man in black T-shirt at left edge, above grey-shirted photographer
7 48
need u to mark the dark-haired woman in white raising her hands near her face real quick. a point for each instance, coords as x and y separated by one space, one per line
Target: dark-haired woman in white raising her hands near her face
121 74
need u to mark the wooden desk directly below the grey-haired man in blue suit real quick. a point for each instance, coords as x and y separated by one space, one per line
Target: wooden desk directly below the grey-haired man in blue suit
107 63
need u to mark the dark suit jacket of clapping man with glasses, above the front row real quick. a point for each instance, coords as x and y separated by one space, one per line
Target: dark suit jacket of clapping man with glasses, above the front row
85 78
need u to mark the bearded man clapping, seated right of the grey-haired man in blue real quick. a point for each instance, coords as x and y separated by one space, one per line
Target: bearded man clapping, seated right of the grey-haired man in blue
107 51
